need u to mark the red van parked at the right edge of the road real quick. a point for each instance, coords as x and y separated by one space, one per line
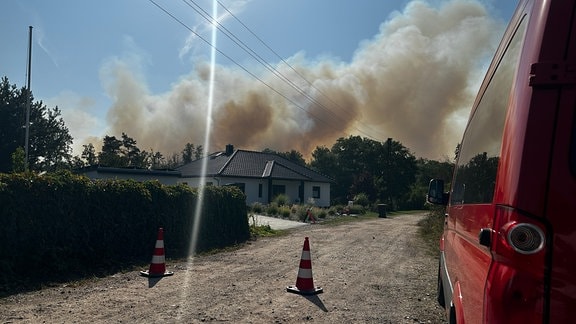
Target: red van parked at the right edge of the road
508 250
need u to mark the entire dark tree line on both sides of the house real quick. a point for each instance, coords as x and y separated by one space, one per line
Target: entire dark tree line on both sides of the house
385 172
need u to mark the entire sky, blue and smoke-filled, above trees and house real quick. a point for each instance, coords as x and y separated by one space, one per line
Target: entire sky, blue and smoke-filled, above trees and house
124 66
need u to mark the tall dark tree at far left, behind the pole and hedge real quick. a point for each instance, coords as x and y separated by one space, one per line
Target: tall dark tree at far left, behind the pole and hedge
50 143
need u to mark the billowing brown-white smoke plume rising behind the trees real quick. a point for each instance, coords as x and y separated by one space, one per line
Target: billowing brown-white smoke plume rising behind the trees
414 81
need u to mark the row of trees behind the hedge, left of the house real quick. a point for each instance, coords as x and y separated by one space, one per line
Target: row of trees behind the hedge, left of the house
50 142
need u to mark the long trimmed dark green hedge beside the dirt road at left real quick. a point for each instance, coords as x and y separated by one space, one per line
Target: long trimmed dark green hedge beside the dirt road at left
61 226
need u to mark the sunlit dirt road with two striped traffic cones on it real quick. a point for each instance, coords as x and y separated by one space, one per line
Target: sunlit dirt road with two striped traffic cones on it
375 271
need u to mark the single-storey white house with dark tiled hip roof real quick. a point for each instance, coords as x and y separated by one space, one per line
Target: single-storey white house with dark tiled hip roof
261 176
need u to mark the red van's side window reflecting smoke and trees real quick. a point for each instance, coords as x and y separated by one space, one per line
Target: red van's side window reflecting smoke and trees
478 155
